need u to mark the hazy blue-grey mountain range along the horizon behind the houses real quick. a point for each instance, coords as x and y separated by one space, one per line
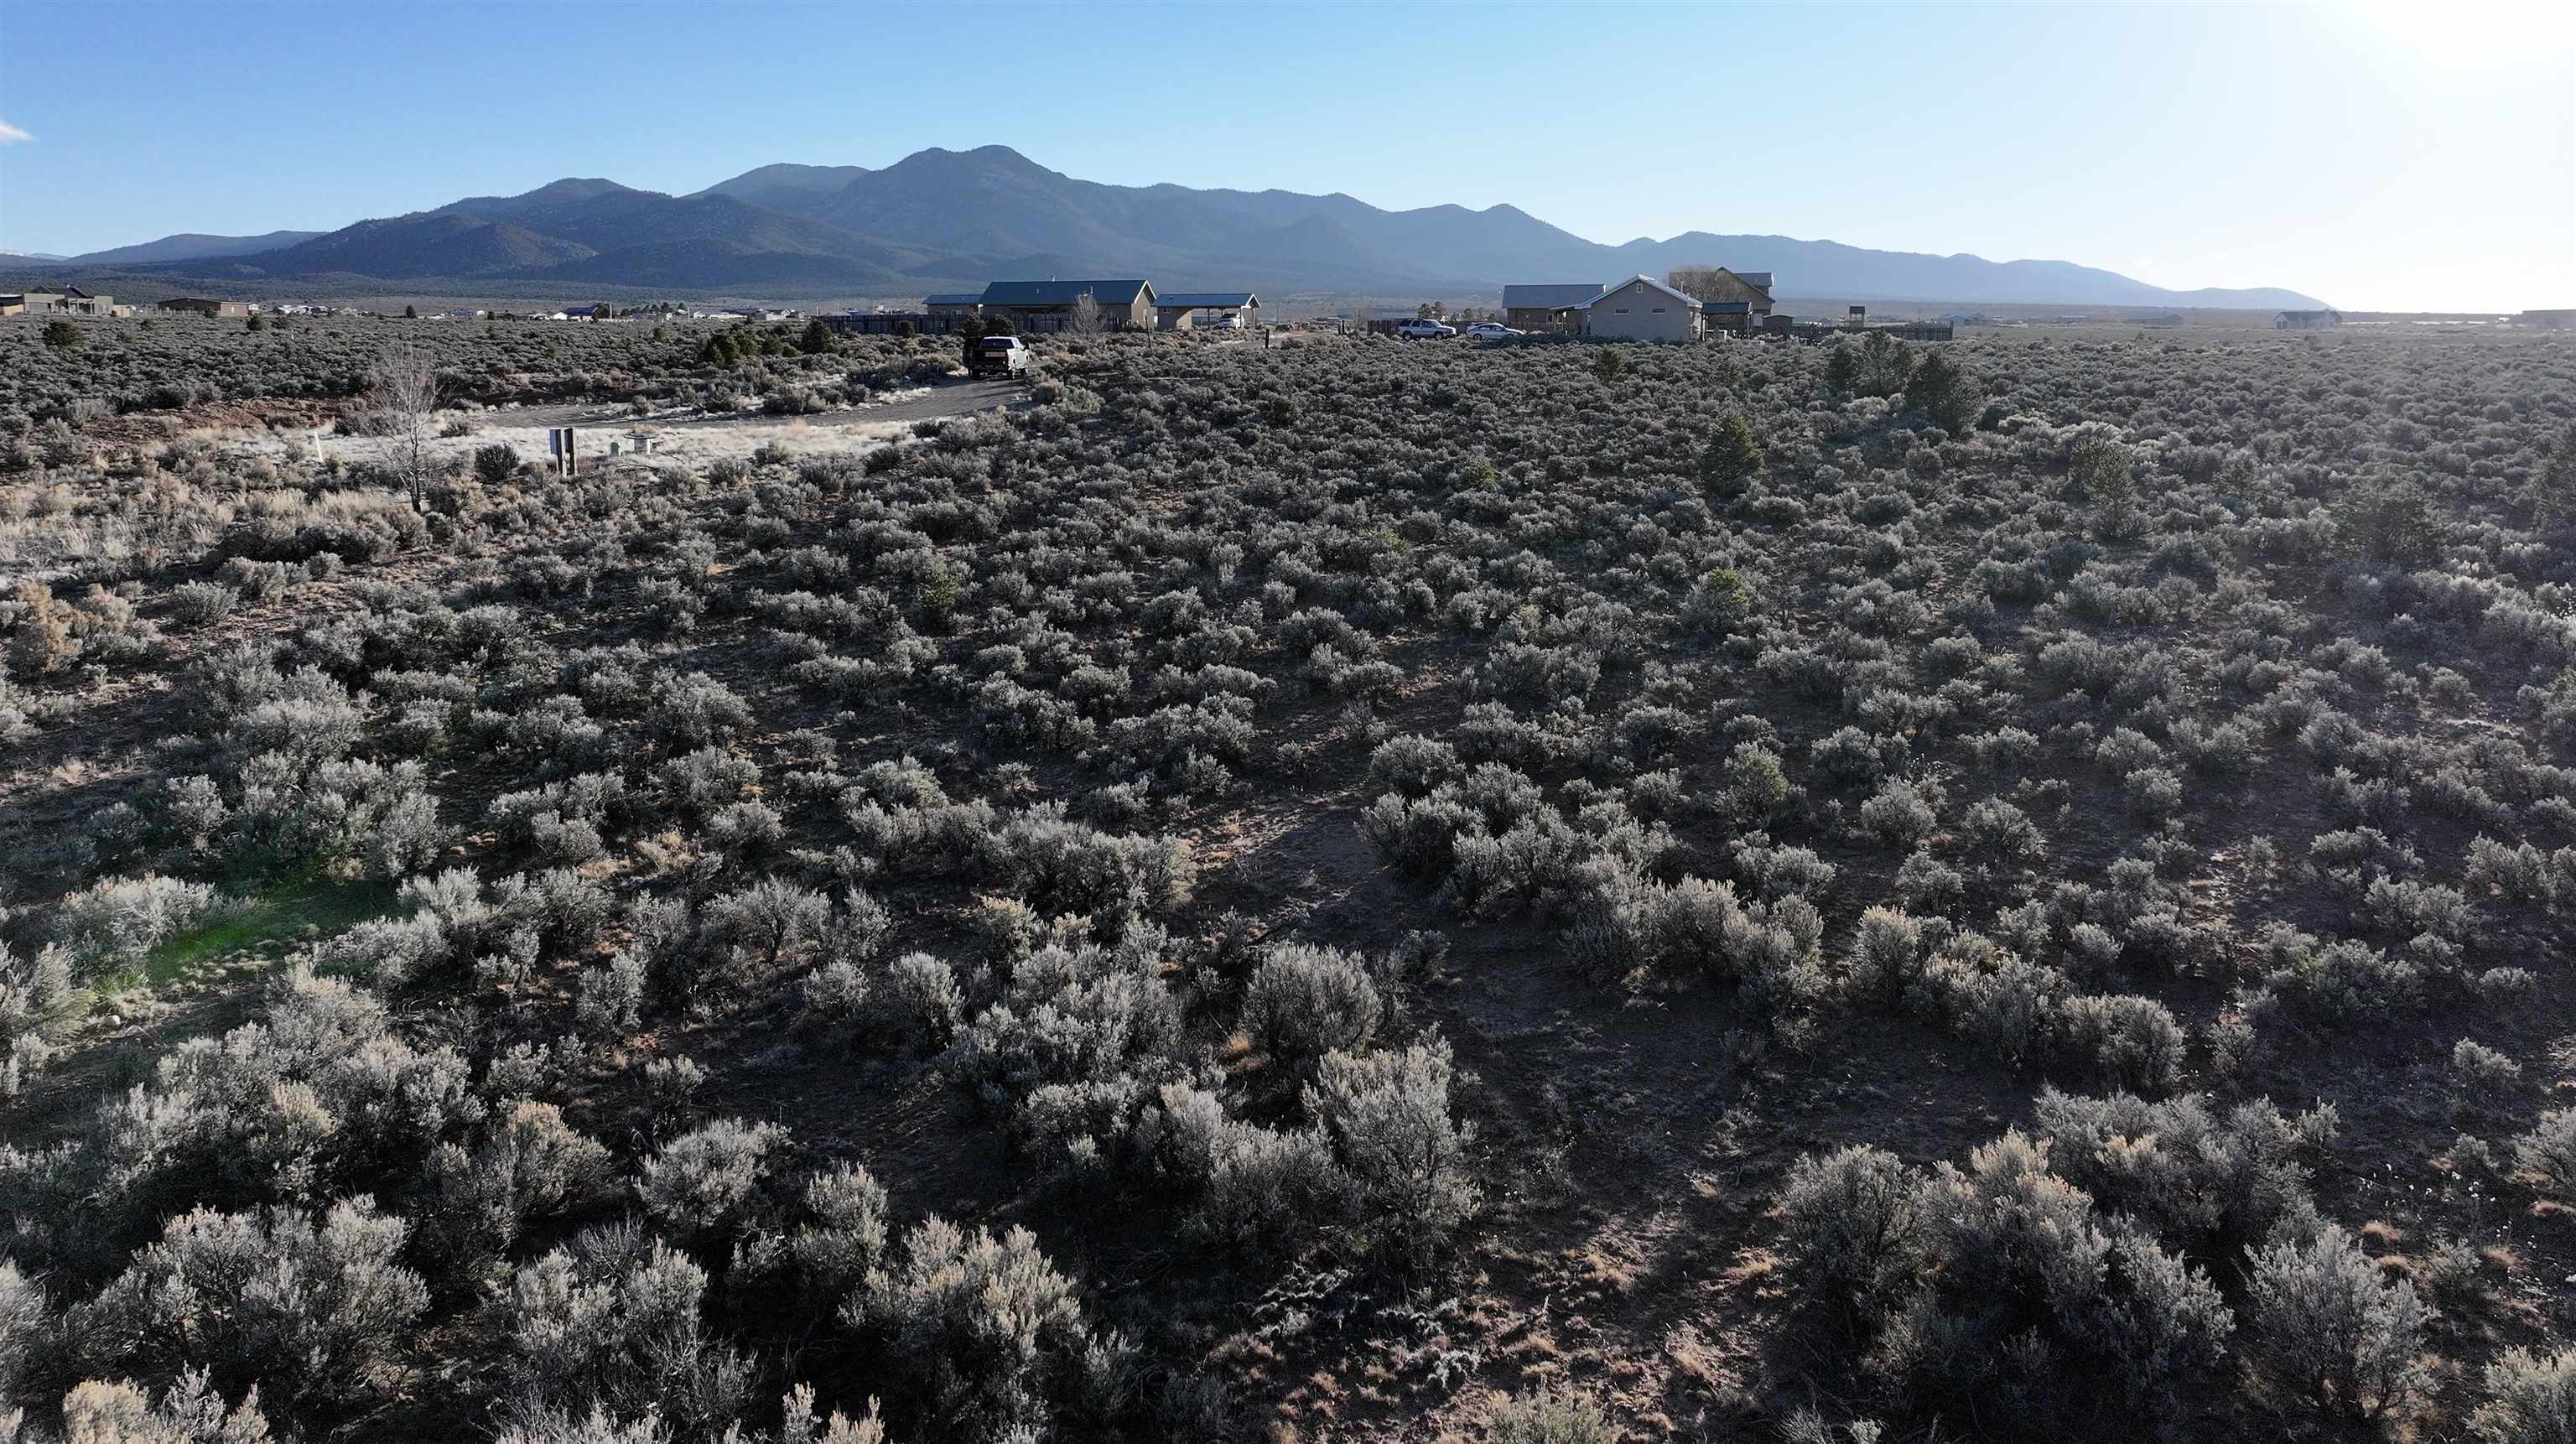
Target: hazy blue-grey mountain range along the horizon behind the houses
952 220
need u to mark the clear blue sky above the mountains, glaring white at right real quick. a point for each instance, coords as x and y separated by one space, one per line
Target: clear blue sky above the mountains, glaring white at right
2382 156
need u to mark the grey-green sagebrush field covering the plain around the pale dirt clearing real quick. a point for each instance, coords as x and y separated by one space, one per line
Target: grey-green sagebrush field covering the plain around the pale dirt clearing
1351 892
